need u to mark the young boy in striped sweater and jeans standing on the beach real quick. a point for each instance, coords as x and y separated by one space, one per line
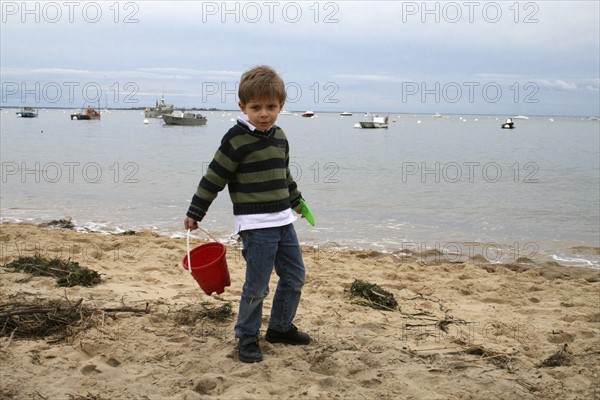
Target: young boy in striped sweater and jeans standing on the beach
253 161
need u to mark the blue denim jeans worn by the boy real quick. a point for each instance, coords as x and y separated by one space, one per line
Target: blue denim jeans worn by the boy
264 249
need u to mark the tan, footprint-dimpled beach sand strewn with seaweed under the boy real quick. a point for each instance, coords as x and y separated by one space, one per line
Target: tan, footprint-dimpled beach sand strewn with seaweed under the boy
462 330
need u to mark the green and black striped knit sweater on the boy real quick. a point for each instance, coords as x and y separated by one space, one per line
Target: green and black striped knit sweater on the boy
254 166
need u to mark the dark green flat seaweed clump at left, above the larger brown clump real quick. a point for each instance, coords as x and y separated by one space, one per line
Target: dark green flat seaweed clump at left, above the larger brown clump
66 272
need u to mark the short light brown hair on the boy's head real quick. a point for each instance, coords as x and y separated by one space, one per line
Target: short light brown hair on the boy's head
260 83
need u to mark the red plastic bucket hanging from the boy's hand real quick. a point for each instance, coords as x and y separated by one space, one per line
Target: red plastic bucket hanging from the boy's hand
209 267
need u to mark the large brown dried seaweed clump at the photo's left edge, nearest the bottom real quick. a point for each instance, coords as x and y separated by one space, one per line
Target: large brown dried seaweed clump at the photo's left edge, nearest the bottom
43 318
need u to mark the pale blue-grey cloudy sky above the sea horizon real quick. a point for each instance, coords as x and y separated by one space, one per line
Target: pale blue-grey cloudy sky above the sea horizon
452 57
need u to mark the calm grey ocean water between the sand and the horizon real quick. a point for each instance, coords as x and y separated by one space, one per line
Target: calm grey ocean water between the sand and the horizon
458 184
